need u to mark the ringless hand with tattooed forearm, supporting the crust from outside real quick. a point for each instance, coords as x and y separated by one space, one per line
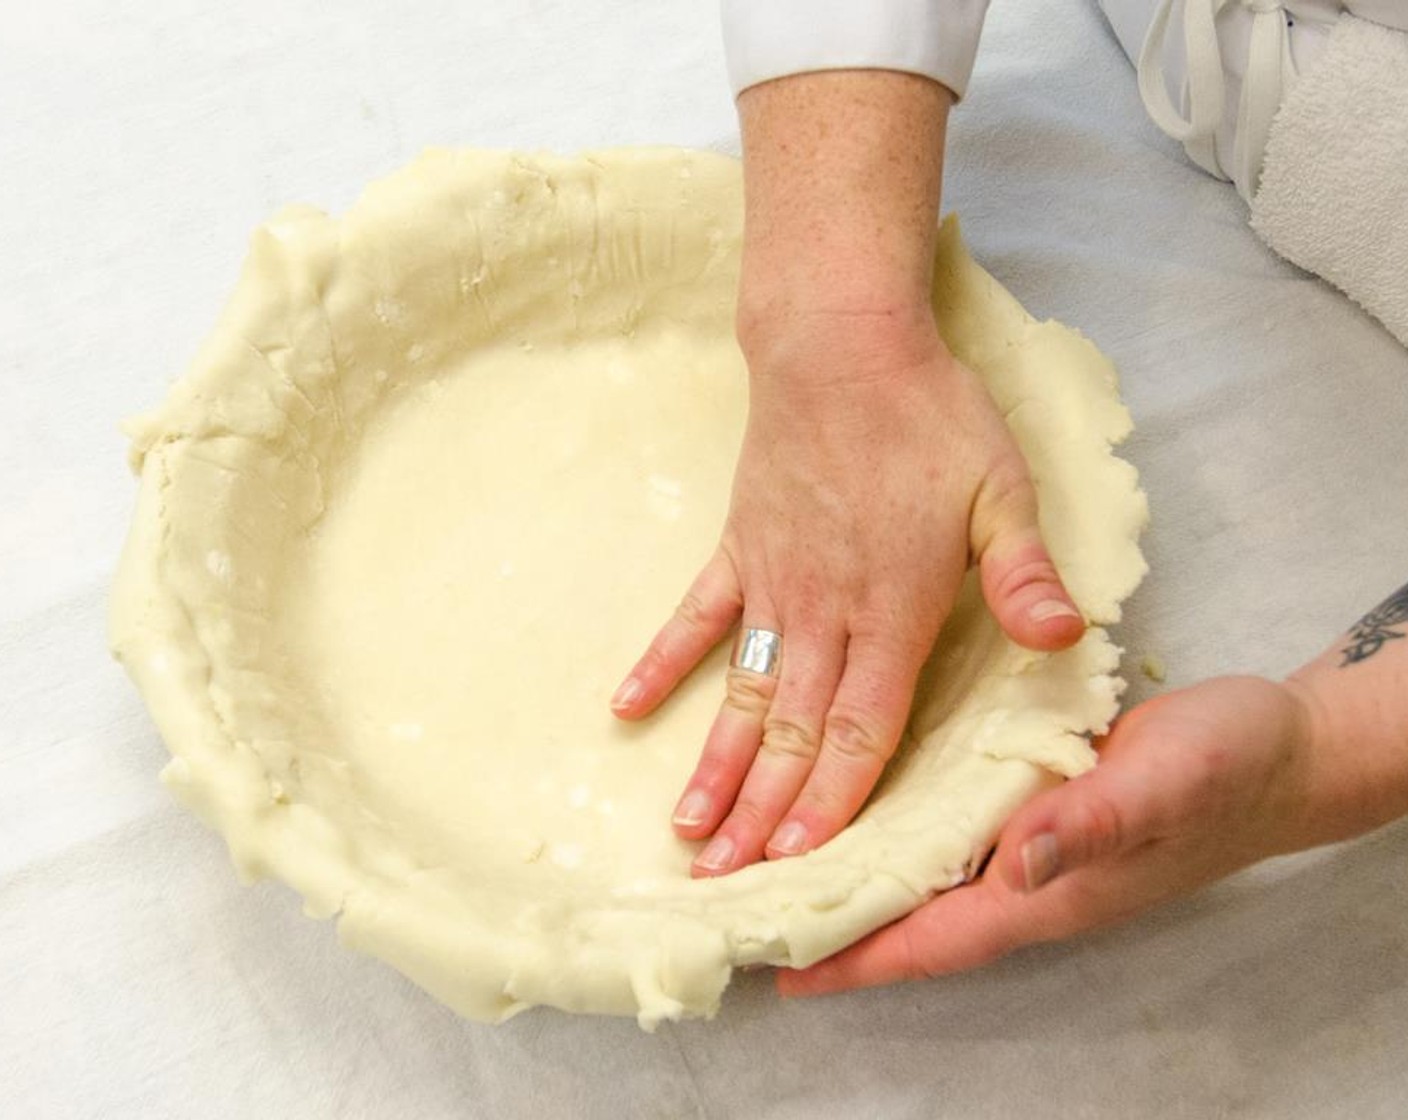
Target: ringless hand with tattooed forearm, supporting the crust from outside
1190 787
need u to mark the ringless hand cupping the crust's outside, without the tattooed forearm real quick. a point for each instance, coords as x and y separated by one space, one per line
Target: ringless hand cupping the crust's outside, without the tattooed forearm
1190 787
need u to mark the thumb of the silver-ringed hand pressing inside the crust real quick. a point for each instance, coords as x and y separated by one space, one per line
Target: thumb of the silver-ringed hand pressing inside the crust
1020 583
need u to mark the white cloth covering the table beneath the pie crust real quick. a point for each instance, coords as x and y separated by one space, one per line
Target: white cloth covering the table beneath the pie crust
143 143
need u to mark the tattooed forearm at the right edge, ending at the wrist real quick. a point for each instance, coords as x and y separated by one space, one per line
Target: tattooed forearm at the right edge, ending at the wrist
1357 695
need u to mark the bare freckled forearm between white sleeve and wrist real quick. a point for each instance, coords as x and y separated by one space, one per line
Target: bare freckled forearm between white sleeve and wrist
843 181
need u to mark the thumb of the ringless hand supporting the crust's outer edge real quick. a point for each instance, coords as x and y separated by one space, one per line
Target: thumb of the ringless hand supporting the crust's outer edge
1099 815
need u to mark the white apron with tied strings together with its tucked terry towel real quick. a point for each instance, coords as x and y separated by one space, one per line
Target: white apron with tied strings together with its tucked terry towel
1305 106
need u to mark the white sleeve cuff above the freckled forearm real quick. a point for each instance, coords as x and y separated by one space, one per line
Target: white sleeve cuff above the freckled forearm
774 39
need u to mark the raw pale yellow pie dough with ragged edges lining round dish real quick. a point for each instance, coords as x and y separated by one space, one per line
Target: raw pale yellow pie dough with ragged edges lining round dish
434 480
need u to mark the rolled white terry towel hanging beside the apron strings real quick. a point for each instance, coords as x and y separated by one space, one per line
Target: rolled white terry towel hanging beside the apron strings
1334 192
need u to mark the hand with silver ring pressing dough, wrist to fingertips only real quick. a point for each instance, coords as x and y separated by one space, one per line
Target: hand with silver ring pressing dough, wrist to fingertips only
874 466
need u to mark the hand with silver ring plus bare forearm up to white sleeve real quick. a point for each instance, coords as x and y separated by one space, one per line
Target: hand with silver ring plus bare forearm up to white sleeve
874 468
